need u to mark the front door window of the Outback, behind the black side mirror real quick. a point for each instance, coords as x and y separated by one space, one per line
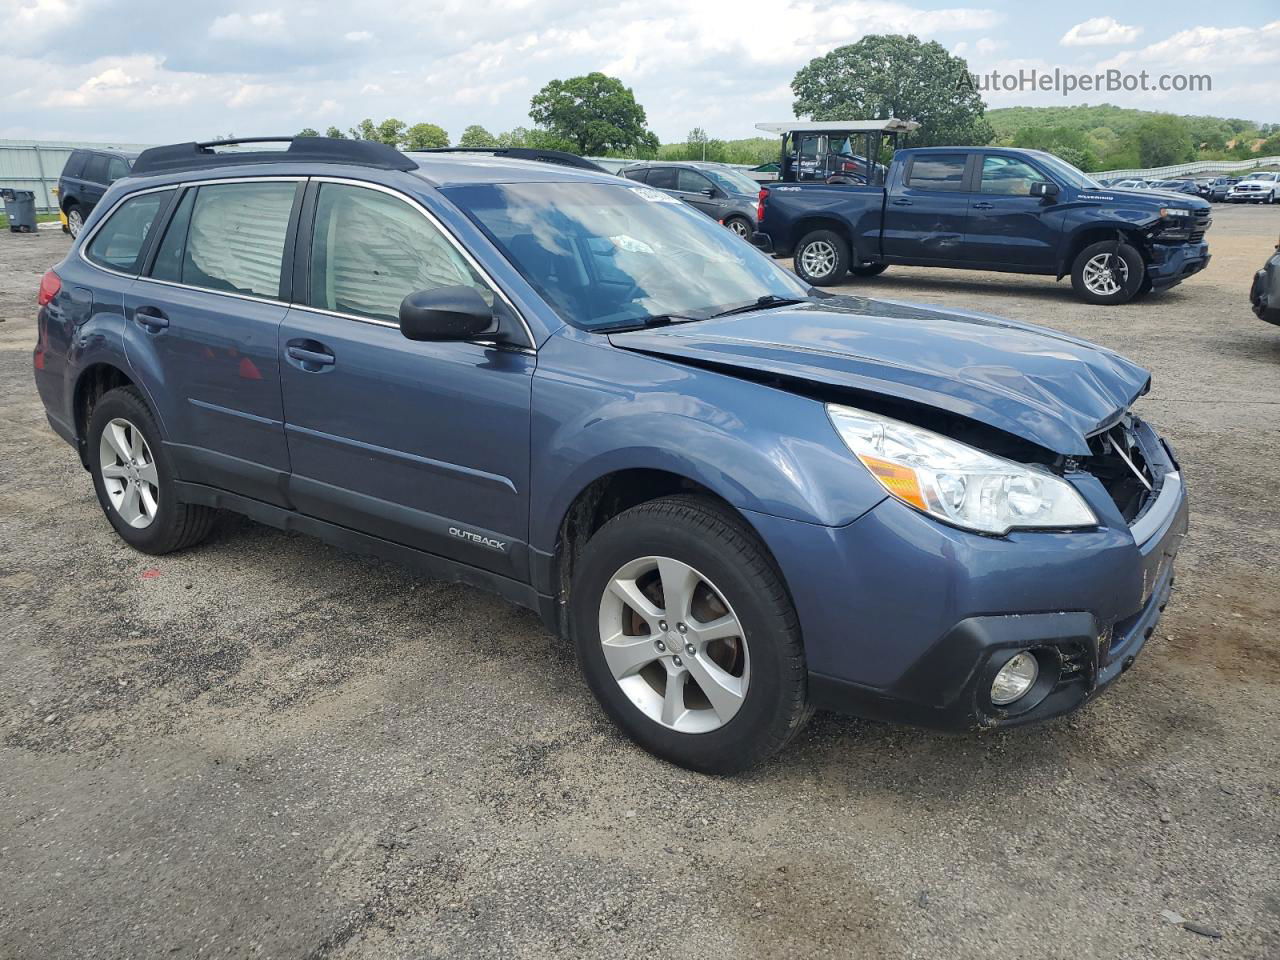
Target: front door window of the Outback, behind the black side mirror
371 250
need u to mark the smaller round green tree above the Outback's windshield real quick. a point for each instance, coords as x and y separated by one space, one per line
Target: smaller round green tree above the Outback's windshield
596 115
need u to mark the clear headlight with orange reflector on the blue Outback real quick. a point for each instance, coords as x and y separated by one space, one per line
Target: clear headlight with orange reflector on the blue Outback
957 483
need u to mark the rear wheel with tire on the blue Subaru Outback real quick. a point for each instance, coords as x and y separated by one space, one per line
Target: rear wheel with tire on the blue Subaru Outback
135 479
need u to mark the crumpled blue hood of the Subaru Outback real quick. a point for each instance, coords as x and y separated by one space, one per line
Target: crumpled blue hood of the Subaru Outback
1039 385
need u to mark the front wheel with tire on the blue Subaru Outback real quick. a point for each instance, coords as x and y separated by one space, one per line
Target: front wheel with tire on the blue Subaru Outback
688 637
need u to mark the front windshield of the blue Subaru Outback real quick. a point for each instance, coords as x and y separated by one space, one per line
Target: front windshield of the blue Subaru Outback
606 257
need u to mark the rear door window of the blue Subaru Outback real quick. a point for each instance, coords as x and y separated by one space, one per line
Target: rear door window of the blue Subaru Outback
236 239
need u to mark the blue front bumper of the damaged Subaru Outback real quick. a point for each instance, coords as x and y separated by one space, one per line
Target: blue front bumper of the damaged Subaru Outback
924 615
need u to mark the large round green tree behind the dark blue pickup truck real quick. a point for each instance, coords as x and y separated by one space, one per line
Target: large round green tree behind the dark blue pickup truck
886 76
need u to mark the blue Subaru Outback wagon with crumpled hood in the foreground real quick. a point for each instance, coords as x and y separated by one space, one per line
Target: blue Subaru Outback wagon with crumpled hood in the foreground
739 497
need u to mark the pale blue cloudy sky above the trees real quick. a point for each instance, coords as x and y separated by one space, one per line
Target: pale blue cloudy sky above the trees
154 71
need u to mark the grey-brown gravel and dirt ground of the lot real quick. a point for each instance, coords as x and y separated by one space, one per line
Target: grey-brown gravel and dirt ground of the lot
267 748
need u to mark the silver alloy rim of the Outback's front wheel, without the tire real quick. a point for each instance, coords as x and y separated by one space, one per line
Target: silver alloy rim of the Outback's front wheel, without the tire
674 644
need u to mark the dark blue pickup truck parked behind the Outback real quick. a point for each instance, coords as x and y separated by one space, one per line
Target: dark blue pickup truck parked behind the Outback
990 209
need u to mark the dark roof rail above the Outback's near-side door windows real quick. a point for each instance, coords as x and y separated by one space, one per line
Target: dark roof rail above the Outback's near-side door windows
198 157
